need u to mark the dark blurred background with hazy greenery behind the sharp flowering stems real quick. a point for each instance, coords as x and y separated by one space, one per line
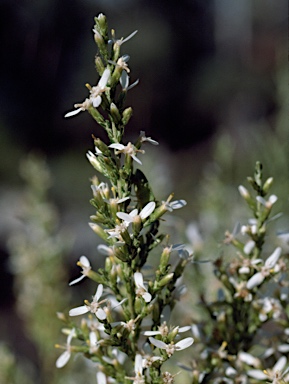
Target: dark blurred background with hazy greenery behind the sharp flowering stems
213 91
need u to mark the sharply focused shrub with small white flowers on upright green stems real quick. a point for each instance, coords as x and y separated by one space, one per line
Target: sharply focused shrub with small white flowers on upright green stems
125 332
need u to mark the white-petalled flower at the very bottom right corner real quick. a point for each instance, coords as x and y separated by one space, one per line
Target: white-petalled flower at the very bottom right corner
275 374
